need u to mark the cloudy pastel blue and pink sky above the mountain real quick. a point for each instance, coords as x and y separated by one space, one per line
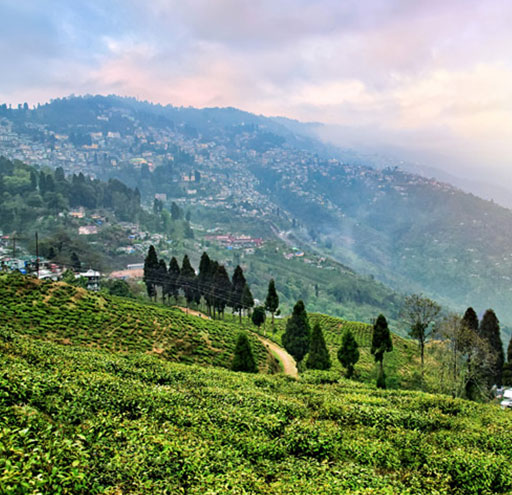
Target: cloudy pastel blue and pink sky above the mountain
429 80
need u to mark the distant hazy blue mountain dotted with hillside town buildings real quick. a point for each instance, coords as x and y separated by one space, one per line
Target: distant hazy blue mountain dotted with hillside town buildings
412 233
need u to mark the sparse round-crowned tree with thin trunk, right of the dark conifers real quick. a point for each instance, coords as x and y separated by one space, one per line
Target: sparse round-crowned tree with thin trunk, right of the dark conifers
419 313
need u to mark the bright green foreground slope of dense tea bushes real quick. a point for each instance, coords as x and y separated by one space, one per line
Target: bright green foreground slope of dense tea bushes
77 420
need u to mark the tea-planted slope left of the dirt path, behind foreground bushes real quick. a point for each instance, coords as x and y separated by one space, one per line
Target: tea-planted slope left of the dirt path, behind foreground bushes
73 316
